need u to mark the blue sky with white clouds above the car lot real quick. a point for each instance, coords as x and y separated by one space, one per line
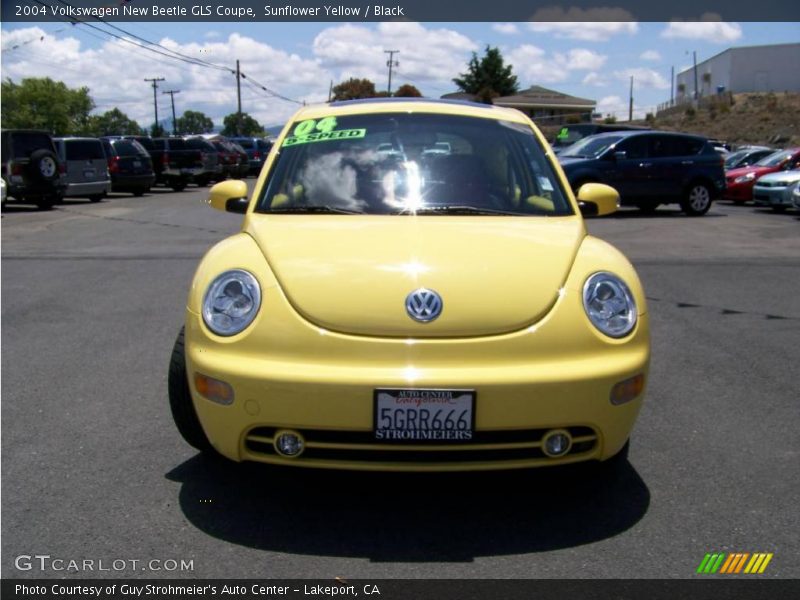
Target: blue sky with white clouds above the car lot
299 60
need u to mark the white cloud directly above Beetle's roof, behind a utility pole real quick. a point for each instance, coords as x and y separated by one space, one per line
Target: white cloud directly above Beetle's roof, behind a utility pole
427 56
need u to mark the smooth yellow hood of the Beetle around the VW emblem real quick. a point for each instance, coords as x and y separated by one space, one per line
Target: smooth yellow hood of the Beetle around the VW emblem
352 274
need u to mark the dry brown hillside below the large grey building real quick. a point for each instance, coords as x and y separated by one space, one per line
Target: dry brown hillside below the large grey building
771 119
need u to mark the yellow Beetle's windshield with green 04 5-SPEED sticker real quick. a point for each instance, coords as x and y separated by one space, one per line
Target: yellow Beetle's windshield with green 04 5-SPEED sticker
400 163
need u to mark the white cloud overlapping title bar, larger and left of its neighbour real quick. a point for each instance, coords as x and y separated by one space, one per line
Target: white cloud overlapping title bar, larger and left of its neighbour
594 24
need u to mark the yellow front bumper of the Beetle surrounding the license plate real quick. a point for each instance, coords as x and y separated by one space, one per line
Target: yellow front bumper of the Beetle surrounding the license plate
326 396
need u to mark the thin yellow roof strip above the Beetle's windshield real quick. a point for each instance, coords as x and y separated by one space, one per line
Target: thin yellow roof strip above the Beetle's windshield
423 105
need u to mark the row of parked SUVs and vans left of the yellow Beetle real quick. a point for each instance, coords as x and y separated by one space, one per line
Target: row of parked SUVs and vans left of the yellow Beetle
40 169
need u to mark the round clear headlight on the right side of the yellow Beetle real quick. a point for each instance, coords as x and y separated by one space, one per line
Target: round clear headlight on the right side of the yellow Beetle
609 304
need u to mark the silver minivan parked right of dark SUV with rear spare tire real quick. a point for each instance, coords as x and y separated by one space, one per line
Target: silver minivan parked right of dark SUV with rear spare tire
86 167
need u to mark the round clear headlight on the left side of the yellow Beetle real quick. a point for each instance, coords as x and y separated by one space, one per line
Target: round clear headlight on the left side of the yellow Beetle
231 302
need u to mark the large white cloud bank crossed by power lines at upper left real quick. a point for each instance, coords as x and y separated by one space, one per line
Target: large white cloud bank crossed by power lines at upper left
114 73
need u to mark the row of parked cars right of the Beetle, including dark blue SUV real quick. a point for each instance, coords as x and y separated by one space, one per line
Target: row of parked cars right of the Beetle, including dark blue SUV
649 168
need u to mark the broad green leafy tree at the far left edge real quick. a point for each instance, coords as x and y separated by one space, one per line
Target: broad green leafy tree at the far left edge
41 103
